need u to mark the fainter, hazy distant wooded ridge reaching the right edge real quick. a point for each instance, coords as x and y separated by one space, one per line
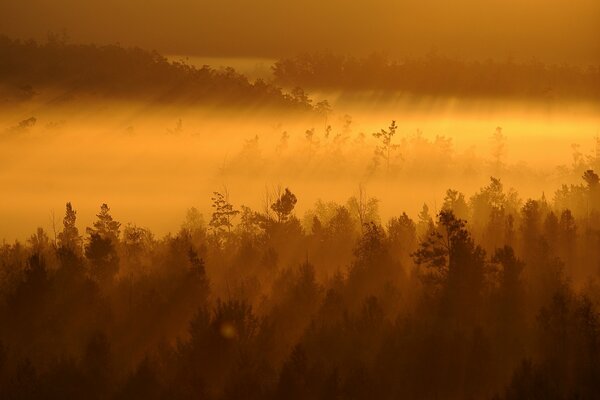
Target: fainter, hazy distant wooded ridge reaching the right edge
440 76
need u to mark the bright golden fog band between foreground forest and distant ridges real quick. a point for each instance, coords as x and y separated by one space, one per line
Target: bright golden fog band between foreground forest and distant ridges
151 163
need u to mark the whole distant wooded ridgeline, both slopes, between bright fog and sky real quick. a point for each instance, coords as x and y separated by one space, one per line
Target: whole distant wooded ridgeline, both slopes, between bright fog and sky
28 69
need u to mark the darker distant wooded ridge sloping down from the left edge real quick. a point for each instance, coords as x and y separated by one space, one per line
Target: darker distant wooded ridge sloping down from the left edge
28 68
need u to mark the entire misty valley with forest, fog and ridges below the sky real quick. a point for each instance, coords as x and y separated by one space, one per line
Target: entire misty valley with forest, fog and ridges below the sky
311 227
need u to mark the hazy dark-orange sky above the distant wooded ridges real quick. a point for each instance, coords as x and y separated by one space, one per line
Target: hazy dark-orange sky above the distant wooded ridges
558 31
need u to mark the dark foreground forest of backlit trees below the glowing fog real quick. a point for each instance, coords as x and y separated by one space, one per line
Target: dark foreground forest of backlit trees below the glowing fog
490 297
